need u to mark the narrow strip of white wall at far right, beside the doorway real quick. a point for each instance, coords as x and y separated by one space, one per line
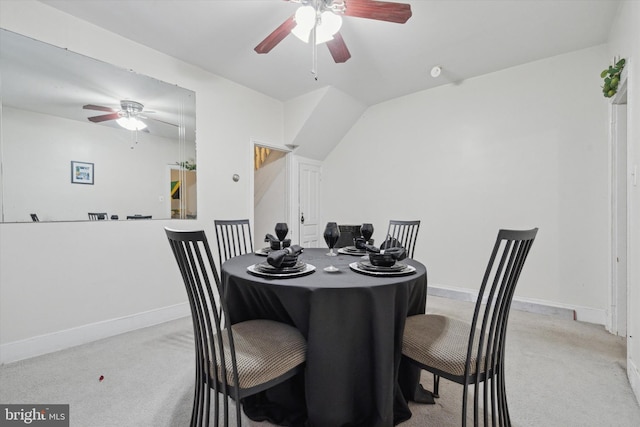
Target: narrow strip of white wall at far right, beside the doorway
625 42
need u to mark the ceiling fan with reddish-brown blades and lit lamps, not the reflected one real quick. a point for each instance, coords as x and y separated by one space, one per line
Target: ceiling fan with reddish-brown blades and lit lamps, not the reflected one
320 20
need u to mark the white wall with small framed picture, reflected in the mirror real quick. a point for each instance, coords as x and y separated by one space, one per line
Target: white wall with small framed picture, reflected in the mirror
129 177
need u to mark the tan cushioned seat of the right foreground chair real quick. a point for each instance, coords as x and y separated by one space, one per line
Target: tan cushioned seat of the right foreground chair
439 342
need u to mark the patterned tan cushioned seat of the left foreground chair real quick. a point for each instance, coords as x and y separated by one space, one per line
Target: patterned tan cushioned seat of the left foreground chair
265 349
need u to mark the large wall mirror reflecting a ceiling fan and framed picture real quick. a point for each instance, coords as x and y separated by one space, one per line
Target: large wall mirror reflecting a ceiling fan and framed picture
79 135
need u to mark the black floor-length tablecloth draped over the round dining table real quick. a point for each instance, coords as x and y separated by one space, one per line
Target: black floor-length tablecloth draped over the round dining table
353 324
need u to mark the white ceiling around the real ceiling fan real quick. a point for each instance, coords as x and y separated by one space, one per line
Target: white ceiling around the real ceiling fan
467 38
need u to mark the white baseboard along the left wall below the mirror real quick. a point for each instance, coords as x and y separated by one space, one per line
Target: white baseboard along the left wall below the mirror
36 346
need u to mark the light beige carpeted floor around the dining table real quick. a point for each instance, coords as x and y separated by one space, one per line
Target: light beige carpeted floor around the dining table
559 373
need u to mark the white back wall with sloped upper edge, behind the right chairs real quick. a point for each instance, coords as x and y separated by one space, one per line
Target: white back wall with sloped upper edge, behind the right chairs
520 148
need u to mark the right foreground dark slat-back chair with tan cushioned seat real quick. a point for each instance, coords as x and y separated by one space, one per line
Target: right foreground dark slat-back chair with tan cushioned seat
473 353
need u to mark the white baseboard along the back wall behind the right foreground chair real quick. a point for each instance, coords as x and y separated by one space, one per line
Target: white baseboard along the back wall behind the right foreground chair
583 314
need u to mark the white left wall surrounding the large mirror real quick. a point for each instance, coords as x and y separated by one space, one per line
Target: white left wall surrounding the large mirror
76 280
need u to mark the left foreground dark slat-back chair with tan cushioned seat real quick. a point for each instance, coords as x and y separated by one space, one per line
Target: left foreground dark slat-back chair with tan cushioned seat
236 361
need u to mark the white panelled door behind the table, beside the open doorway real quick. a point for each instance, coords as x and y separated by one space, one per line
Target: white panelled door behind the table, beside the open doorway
309 185
